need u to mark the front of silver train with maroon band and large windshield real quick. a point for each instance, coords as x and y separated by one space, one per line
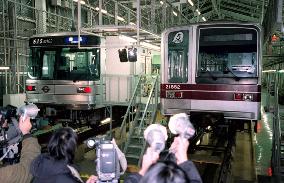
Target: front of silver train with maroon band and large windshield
212 68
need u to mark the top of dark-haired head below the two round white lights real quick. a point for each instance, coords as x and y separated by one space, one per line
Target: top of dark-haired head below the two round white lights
165 172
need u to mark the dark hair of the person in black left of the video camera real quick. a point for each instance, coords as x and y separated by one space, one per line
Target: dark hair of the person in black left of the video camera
62 145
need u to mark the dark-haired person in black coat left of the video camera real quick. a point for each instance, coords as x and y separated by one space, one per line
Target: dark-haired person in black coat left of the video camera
56 165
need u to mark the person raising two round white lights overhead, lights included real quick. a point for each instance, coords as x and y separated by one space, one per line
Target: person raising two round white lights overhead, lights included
176 167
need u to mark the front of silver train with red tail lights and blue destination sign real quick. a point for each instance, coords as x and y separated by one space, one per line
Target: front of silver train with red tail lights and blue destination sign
61 74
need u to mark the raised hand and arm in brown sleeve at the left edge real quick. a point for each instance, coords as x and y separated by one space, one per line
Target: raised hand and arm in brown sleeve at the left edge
30 149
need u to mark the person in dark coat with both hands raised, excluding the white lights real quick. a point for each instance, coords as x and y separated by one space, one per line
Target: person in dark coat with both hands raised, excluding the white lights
152 170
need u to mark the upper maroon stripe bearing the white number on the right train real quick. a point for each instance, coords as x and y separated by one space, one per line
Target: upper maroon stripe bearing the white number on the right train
211 87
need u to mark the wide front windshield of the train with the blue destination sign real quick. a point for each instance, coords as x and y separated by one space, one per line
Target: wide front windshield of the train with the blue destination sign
64 63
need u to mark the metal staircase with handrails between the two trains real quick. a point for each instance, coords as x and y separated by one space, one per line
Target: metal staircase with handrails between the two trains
141 112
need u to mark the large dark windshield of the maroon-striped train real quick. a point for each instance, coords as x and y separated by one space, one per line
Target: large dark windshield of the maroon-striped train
226 54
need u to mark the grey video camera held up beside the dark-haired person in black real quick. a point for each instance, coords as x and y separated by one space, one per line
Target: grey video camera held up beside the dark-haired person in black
107 162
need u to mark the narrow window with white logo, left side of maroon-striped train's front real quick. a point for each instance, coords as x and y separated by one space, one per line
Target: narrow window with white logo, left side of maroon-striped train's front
178 57
